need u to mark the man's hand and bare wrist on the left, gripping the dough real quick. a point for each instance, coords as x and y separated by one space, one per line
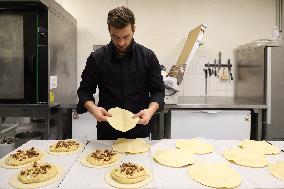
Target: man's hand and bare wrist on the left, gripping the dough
98 112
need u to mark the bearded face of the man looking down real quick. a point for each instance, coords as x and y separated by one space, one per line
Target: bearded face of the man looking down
121 38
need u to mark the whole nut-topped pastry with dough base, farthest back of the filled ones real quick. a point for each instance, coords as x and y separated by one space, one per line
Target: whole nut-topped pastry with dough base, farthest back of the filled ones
65 147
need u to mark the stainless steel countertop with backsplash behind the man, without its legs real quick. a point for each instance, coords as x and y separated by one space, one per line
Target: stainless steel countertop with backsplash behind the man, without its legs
218 102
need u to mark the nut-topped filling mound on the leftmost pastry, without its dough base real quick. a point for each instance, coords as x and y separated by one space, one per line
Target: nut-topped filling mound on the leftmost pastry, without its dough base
23 156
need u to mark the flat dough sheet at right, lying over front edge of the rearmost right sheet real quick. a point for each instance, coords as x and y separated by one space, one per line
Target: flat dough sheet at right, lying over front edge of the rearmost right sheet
245 157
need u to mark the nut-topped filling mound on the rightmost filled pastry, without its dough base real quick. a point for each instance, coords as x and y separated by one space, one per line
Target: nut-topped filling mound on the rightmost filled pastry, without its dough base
129 173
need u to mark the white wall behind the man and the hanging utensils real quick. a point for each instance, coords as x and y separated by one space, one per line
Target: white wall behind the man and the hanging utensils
163 25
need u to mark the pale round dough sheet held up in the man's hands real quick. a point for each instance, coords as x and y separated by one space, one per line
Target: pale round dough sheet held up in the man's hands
122 120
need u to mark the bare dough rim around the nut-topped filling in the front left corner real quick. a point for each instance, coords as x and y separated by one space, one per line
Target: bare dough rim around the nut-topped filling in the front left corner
15 182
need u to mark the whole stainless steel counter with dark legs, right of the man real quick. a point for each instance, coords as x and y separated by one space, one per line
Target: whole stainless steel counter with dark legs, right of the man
258 112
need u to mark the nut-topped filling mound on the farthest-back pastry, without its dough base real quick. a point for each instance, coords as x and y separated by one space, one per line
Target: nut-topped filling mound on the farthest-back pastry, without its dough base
65 146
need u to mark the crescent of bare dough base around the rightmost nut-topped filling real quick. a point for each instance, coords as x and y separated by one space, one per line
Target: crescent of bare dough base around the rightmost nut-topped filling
109 180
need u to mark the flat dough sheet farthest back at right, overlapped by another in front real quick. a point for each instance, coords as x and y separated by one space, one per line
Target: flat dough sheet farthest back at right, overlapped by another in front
259 146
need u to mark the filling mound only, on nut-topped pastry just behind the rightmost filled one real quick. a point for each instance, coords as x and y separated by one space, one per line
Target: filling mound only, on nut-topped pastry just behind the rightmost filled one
102 157
